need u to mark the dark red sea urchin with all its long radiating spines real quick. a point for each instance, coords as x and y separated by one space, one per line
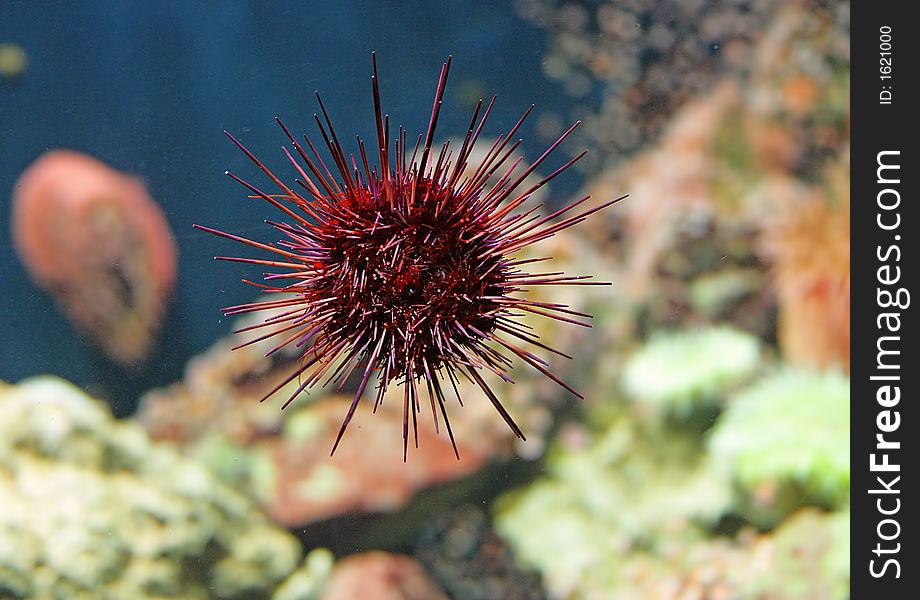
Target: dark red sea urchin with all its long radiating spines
407 270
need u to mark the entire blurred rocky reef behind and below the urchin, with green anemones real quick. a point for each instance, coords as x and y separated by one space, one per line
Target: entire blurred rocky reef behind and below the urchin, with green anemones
709 459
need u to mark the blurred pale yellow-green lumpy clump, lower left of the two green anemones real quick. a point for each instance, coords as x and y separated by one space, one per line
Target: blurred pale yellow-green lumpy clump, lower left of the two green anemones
625 491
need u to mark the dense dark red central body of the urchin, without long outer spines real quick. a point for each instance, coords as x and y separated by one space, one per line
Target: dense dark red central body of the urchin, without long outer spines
420 276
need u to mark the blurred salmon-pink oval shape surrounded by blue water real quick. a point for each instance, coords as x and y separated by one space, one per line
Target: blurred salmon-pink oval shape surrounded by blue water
96 240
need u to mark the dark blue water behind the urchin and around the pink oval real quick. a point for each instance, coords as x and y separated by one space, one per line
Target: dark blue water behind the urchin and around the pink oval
148 88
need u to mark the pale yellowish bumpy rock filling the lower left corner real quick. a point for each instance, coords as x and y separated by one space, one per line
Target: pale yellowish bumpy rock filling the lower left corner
91 508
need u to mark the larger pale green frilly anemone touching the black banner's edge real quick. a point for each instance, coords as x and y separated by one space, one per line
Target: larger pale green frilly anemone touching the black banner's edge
786 441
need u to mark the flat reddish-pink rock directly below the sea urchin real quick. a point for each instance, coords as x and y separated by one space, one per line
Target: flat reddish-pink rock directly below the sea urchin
298 482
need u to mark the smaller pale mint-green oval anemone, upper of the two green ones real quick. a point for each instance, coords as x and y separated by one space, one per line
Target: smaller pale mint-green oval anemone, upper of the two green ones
678 371
